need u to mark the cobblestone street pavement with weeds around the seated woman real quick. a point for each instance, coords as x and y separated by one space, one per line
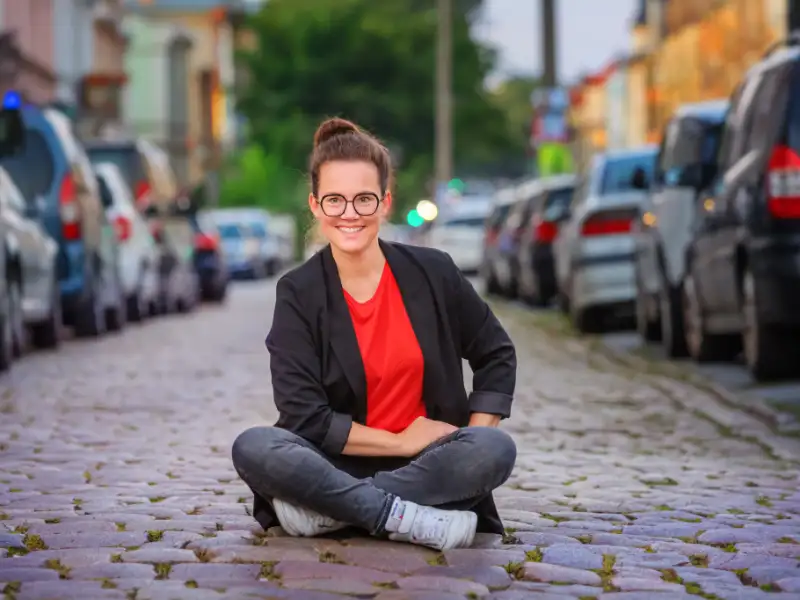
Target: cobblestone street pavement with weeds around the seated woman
116 482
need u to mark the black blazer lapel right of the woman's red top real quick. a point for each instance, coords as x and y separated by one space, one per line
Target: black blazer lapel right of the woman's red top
420 303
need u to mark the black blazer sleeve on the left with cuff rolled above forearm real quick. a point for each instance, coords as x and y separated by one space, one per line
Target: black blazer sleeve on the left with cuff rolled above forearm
296 371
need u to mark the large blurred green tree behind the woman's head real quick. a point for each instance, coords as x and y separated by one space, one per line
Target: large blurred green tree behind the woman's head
372 62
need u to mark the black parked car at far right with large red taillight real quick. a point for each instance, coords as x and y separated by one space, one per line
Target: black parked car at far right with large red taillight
742 282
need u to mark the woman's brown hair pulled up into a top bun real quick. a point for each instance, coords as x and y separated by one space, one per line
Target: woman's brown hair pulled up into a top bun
339 139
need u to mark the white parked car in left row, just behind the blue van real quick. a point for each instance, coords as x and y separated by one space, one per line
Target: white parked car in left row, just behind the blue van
138 253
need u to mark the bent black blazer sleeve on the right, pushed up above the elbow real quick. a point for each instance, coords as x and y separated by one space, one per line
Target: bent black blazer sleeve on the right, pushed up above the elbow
487 347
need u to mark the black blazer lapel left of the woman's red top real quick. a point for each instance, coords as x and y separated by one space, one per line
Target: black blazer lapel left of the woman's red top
342 334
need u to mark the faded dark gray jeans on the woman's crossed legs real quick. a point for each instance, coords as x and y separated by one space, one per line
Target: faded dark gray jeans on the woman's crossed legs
456 472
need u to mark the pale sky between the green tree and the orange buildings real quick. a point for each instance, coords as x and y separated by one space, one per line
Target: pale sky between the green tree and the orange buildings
512 27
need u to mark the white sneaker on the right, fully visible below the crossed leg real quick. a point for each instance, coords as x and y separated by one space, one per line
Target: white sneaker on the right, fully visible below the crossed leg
432 527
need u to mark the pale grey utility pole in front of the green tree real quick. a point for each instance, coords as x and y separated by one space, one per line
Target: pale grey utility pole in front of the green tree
444 93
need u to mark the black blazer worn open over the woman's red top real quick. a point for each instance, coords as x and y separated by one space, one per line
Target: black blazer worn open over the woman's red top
317 374
